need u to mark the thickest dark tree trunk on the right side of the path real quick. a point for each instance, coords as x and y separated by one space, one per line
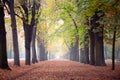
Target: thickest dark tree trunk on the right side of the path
99 49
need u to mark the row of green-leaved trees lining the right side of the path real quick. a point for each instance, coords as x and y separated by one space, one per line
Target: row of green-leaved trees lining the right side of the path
92 24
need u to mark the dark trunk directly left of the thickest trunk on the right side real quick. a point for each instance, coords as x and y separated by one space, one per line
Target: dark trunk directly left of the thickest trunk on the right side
92 45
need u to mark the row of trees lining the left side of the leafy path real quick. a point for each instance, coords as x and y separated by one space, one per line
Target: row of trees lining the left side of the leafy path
28 11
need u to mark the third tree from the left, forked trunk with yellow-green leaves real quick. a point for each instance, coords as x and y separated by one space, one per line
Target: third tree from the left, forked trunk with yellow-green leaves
28 11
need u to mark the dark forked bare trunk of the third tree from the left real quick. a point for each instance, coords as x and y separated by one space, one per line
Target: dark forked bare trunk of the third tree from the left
28 27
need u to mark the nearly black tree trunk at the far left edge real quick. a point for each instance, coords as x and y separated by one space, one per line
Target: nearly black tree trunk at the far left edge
3 49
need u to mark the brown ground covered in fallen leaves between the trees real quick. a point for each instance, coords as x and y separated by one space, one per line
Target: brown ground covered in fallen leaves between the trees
60 70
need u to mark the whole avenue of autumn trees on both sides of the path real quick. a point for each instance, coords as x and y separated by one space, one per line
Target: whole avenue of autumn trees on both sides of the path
84 26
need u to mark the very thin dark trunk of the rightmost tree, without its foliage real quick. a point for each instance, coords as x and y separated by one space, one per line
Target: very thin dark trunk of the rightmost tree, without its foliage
113 50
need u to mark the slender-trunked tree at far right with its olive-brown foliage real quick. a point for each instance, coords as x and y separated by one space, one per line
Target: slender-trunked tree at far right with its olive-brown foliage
111 22
